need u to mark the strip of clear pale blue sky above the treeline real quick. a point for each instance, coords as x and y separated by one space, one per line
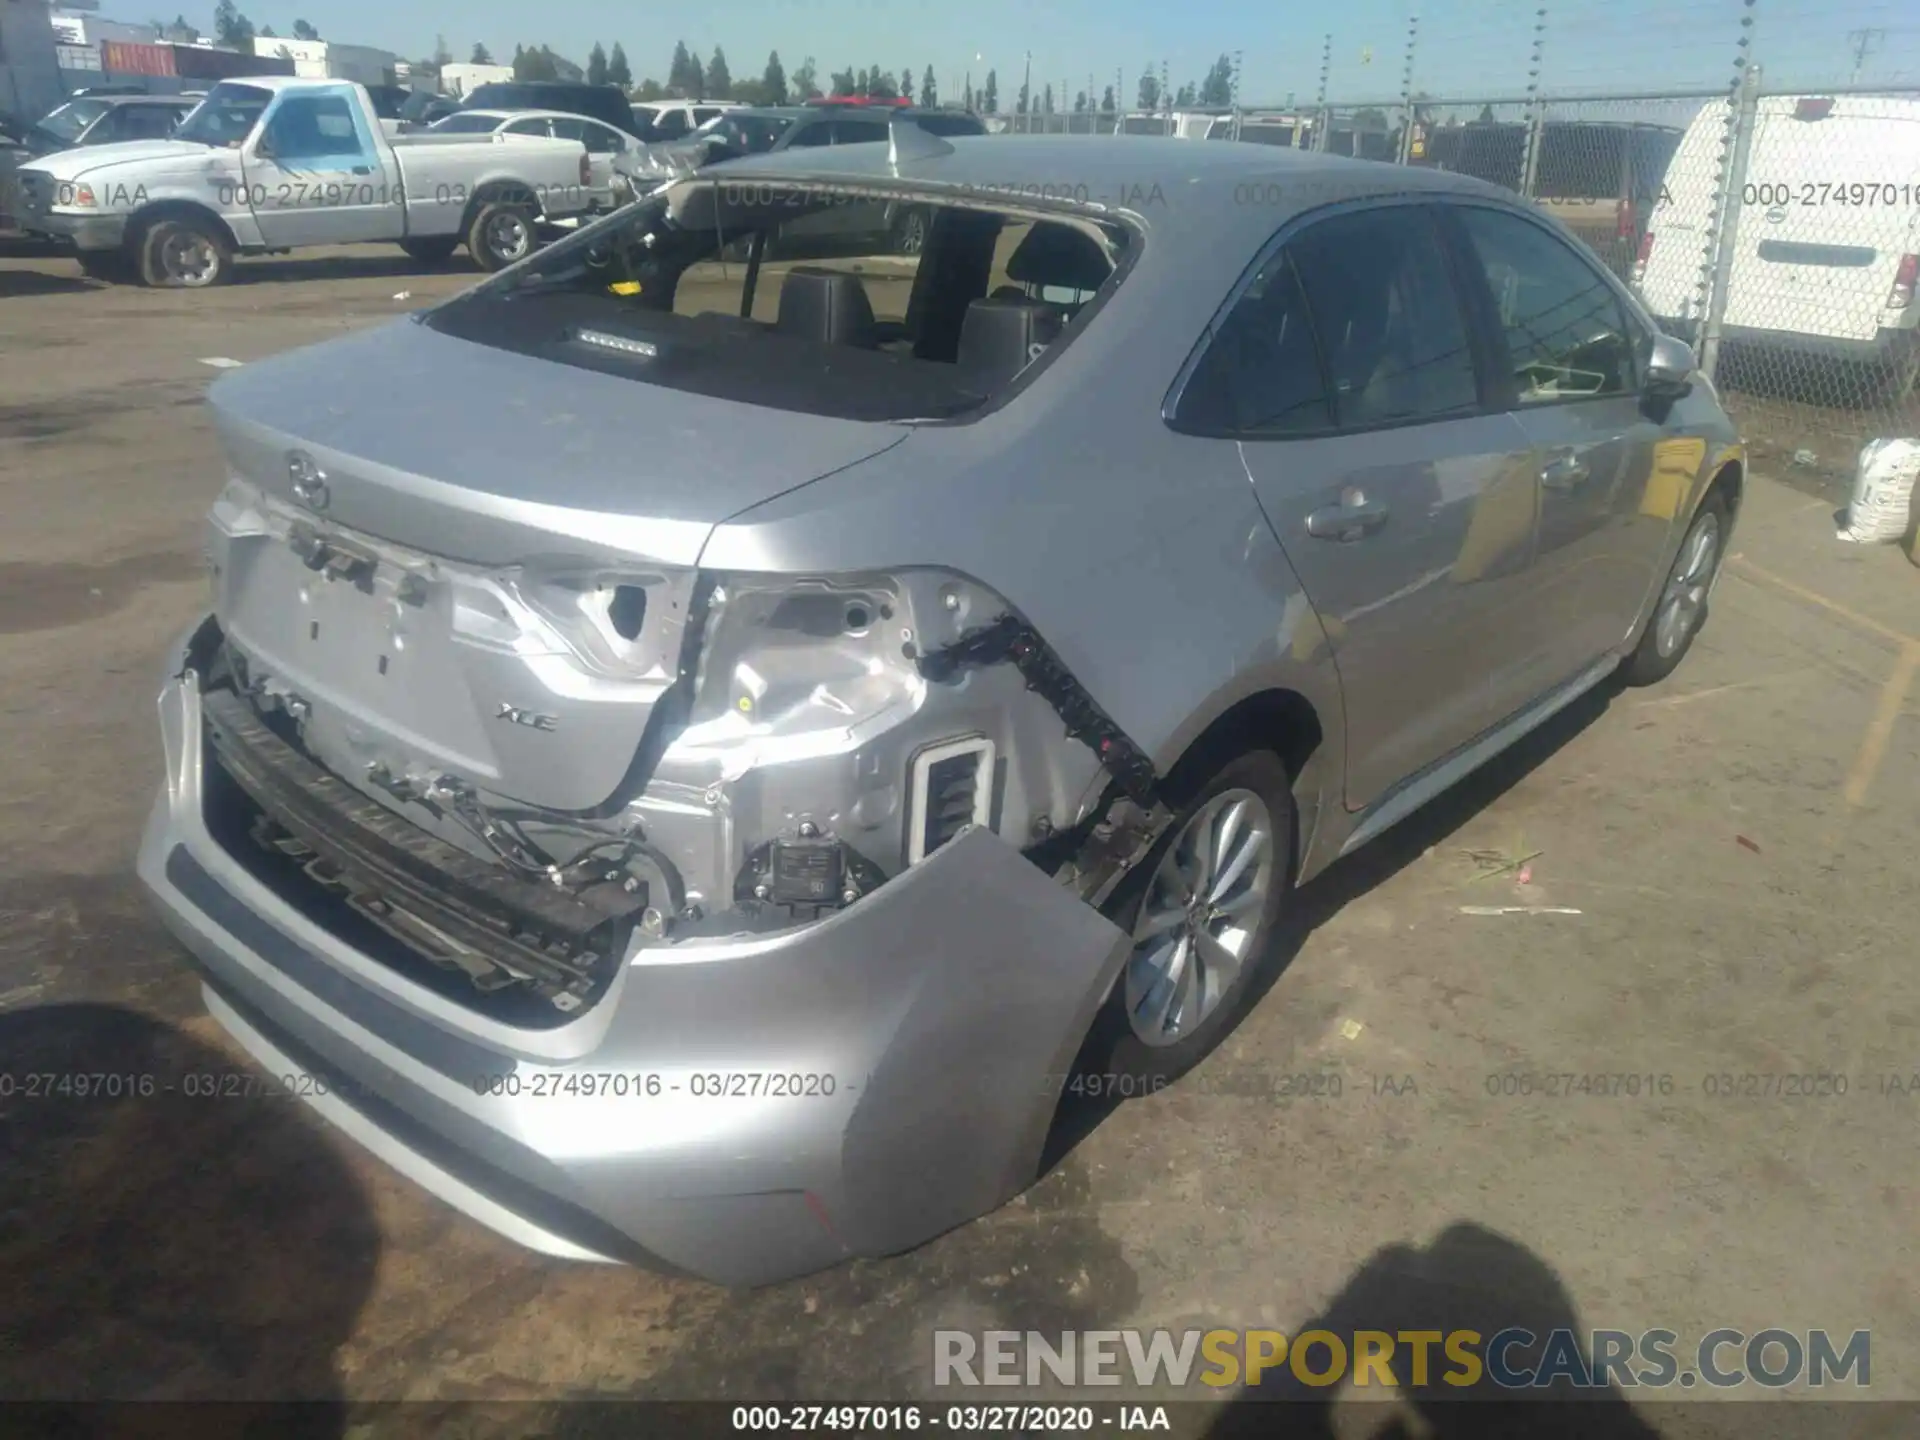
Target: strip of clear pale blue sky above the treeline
1466 47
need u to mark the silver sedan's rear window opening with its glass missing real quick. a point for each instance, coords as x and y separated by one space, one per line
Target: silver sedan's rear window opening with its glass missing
821 300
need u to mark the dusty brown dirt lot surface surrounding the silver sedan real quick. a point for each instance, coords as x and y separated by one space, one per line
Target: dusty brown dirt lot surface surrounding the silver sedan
1740 850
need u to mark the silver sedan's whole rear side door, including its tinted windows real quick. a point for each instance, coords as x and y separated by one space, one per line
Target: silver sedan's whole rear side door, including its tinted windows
1353 377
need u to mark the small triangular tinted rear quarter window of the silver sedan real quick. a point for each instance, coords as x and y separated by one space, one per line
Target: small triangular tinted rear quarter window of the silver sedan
1260 375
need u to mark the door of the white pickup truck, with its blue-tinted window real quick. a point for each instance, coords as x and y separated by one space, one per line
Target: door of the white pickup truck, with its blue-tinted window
318 176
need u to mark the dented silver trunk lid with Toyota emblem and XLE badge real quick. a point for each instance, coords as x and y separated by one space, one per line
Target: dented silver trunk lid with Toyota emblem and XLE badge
475 564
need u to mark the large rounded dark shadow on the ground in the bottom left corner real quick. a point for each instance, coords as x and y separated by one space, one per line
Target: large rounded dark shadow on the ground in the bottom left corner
164 1232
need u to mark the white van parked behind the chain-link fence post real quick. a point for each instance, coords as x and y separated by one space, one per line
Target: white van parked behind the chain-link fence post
1829 243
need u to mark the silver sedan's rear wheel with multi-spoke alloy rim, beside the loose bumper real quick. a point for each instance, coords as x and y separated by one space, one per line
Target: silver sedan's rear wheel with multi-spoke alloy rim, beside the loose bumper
1130 1055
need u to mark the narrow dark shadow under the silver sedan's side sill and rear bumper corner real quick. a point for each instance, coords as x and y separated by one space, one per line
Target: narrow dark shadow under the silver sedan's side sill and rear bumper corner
1358 875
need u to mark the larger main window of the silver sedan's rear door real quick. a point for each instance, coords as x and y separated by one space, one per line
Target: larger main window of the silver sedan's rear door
1387 318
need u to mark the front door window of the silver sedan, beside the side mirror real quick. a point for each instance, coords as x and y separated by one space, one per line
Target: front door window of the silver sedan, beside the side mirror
1566 327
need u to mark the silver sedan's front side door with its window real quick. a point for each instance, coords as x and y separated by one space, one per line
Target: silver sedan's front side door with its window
1572 350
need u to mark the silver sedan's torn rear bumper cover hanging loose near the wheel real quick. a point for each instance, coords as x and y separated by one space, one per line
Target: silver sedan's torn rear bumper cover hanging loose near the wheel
744 1111
